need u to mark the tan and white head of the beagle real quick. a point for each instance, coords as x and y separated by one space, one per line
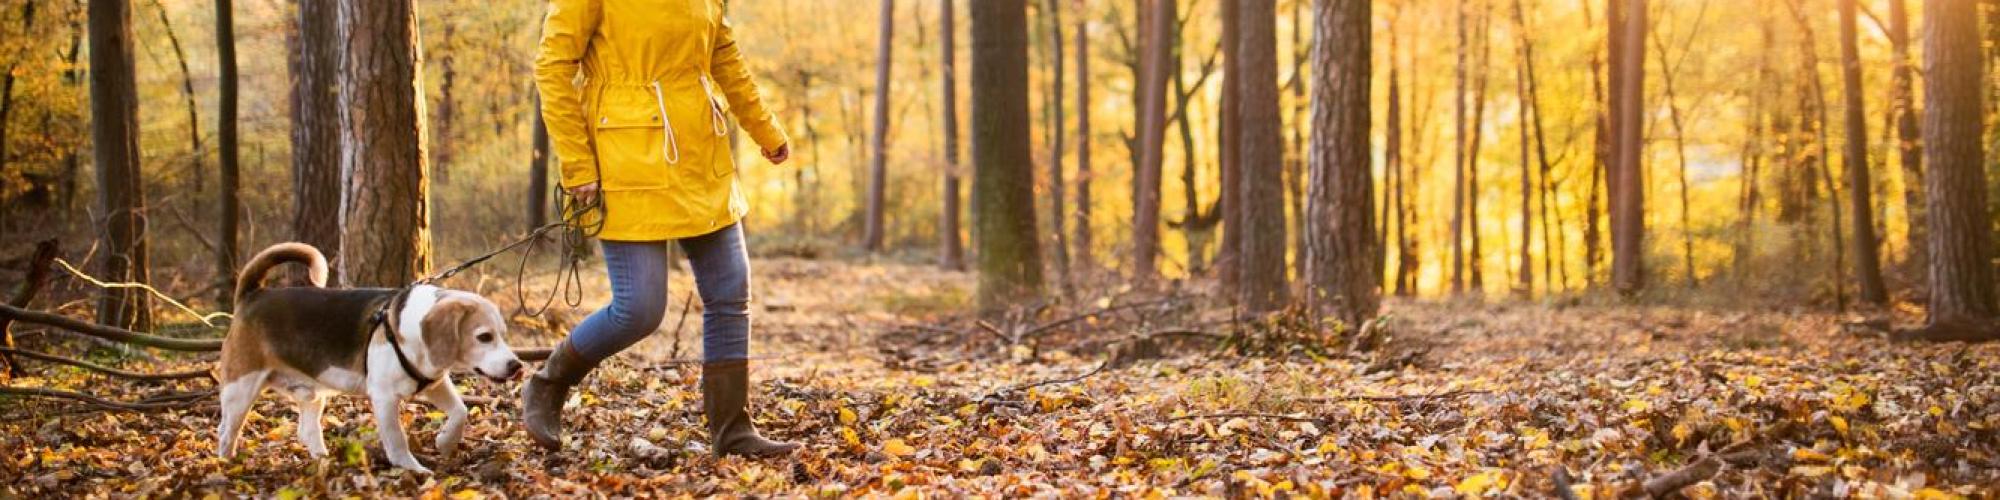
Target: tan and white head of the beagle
467 331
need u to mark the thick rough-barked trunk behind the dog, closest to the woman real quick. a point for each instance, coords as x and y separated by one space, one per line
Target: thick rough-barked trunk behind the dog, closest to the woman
387 227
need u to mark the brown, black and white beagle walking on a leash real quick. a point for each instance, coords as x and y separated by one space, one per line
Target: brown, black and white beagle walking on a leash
389 345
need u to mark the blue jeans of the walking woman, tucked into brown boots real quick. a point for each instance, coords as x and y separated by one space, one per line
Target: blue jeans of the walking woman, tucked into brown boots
639 297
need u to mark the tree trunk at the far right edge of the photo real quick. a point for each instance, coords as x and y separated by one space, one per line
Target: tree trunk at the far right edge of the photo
1961 241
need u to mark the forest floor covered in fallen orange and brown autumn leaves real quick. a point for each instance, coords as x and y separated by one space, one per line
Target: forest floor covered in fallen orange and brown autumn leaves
897 393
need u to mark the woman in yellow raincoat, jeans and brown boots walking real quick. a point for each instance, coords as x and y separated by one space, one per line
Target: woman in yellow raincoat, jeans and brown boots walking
637 99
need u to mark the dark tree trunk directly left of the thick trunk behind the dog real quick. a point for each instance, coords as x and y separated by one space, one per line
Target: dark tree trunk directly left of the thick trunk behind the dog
317 181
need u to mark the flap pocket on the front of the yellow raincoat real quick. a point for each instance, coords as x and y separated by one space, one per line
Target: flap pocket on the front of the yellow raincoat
633 143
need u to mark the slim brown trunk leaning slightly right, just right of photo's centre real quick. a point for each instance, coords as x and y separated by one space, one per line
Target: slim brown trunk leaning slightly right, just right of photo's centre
1159 55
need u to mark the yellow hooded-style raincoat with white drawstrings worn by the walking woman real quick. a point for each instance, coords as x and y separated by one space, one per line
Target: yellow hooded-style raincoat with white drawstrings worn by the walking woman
637 95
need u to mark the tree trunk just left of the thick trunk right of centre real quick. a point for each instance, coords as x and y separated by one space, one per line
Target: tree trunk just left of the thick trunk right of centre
1261 259
